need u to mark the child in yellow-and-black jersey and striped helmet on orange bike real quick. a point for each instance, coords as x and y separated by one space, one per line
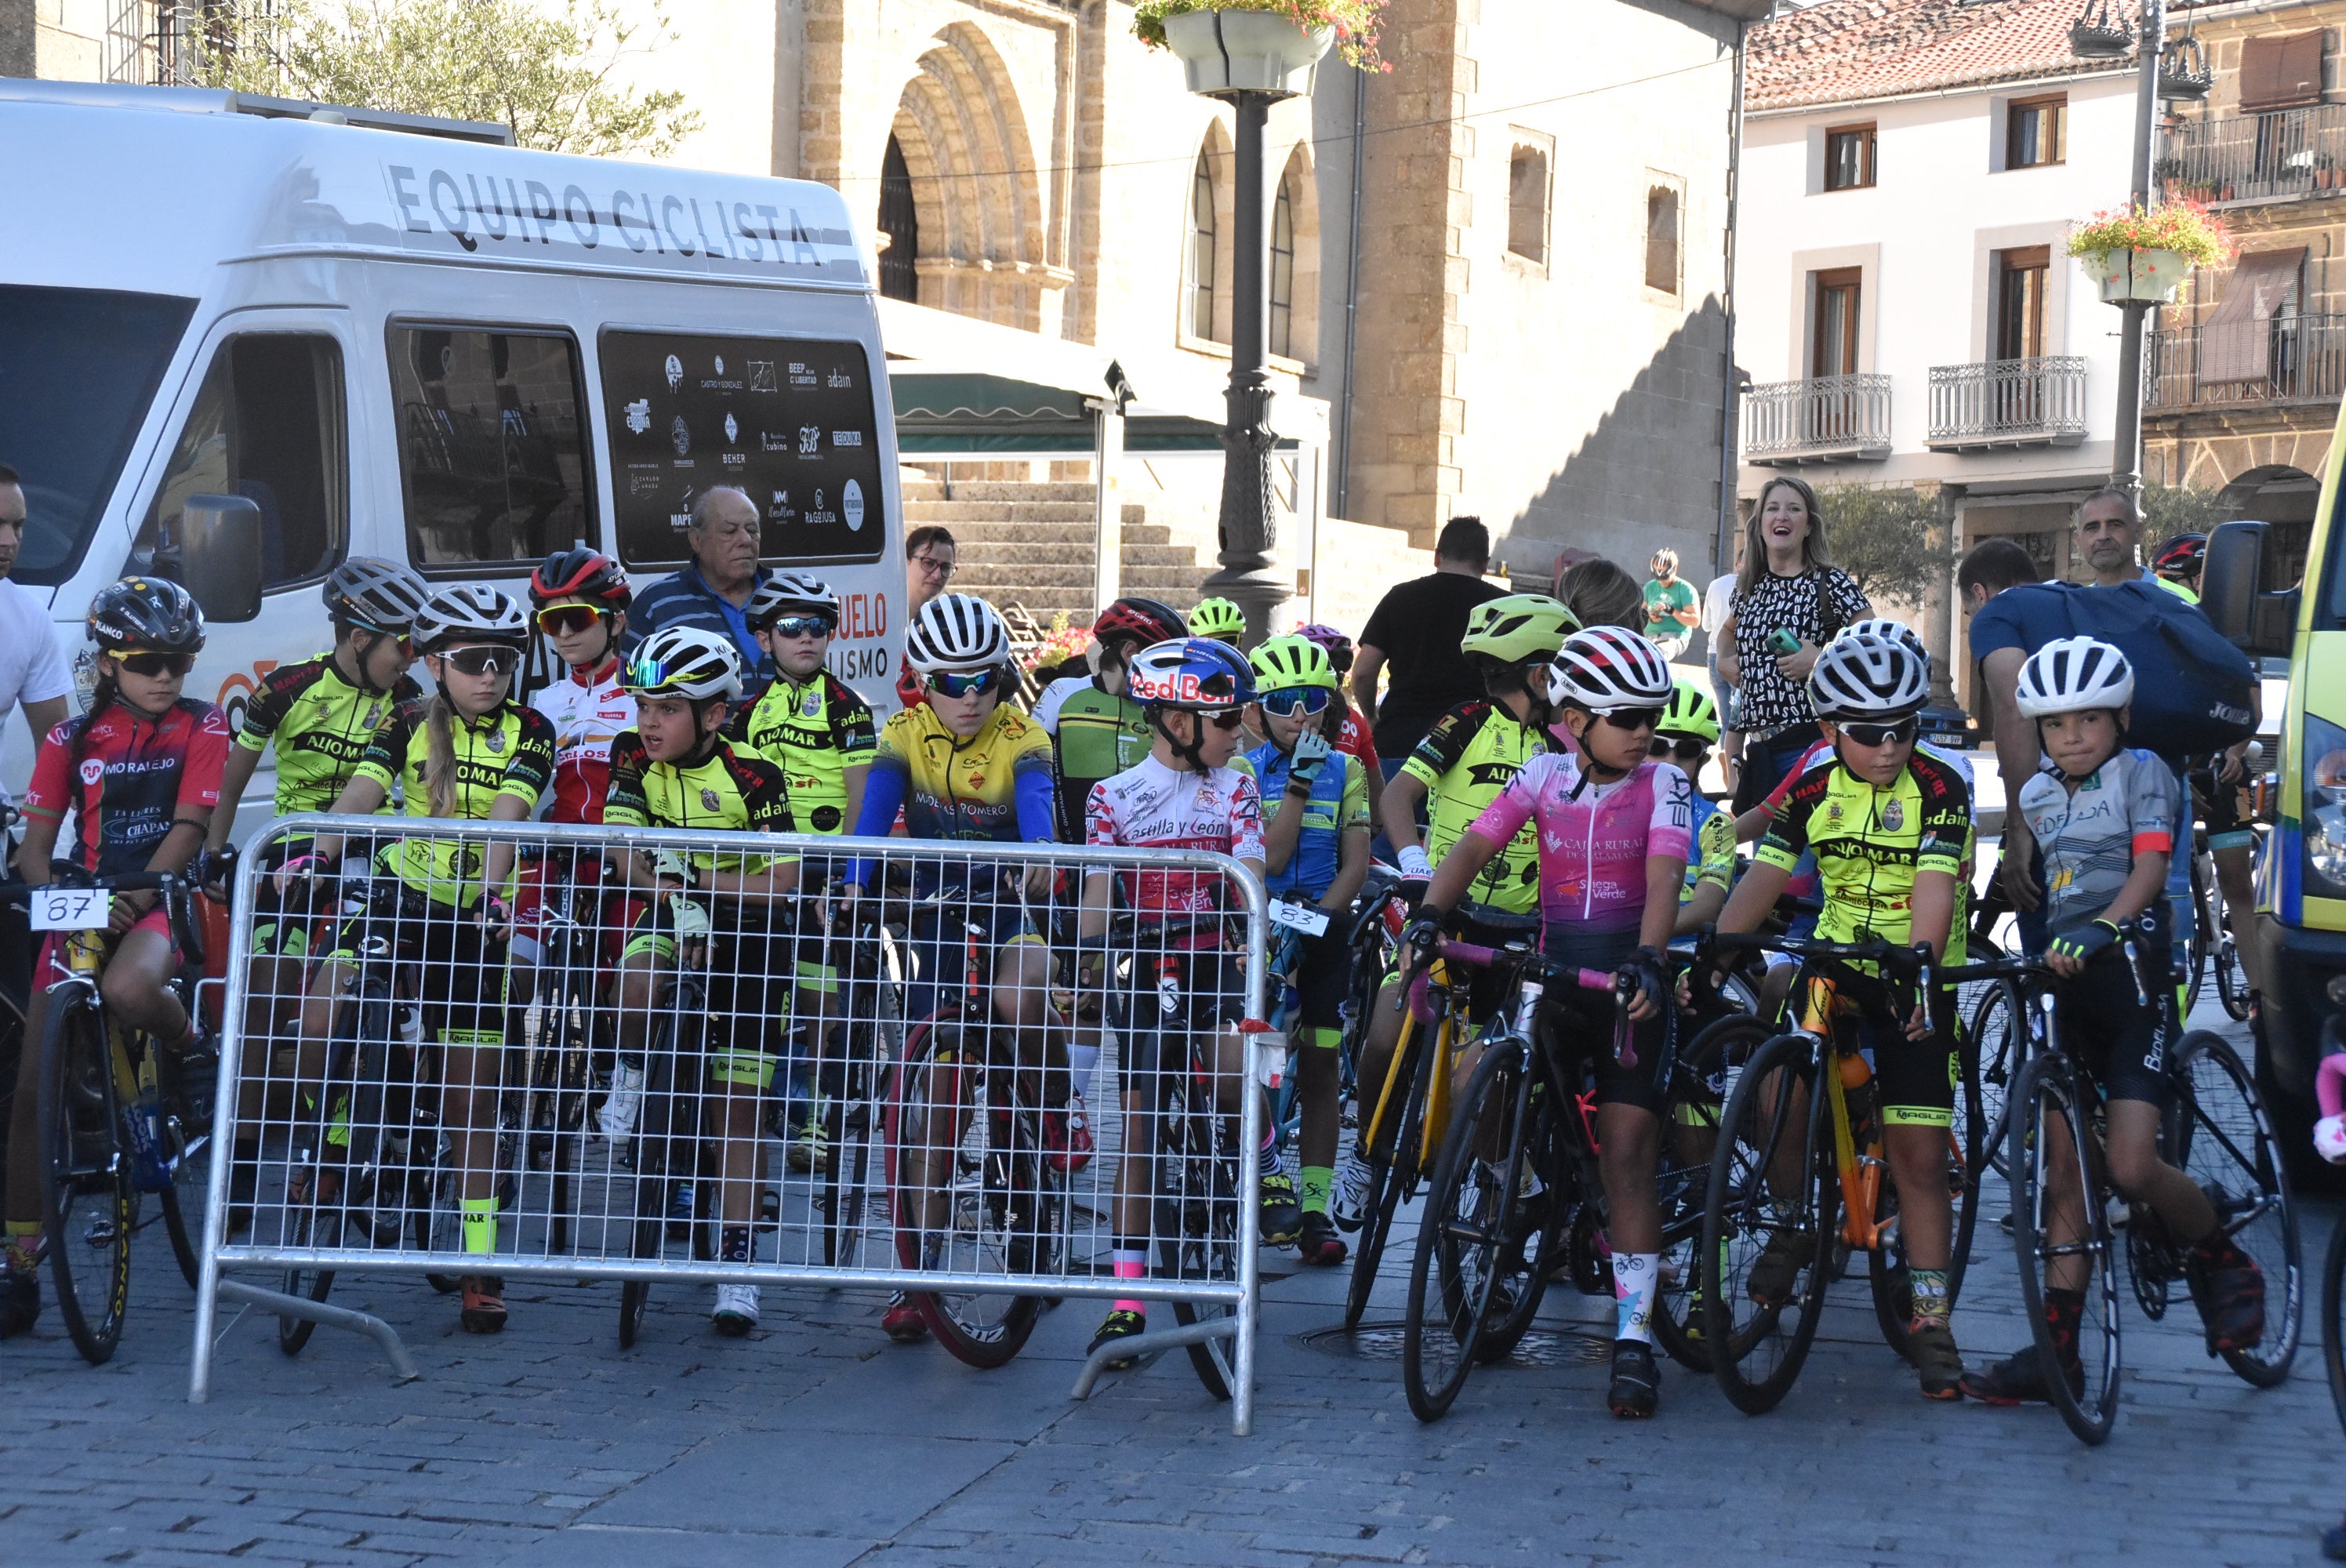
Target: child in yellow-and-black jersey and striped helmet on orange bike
1890 825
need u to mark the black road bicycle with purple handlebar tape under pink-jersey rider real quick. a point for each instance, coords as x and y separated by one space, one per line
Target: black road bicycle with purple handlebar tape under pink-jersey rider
1519 1196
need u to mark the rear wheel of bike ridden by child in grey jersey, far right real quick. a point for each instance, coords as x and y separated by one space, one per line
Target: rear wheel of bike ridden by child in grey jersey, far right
2228 1149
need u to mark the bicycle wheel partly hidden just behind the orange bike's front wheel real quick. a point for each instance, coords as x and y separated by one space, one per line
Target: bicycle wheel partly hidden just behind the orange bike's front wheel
1690 1137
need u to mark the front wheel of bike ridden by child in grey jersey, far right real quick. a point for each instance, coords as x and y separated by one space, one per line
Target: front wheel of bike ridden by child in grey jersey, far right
2054 1137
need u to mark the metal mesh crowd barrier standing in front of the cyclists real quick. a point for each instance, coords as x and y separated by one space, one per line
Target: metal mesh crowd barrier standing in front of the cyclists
412 1097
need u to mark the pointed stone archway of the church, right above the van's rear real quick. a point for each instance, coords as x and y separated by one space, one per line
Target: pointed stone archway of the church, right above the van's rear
977 184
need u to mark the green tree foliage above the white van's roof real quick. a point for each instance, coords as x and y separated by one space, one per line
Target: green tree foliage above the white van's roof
541 67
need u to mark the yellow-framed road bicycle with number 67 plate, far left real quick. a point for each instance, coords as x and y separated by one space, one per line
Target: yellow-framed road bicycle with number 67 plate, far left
121 1118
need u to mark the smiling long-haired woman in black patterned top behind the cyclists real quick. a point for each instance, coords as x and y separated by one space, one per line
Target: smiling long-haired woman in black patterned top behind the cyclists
1791 586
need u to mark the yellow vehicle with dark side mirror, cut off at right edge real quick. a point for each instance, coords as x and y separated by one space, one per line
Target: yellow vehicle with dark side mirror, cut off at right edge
2300 933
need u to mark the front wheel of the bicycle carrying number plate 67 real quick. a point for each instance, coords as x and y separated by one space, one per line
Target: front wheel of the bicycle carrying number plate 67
88 1201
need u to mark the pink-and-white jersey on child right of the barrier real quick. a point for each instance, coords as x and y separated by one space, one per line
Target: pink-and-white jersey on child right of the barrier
1594 839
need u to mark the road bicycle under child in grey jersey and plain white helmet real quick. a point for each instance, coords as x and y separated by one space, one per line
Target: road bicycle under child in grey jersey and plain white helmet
2216 1133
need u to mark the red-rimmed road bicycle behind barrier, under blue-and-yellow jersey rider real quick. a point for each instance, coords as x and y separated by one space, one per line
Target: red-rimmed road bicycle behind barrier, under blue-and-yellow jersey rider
972 1187
